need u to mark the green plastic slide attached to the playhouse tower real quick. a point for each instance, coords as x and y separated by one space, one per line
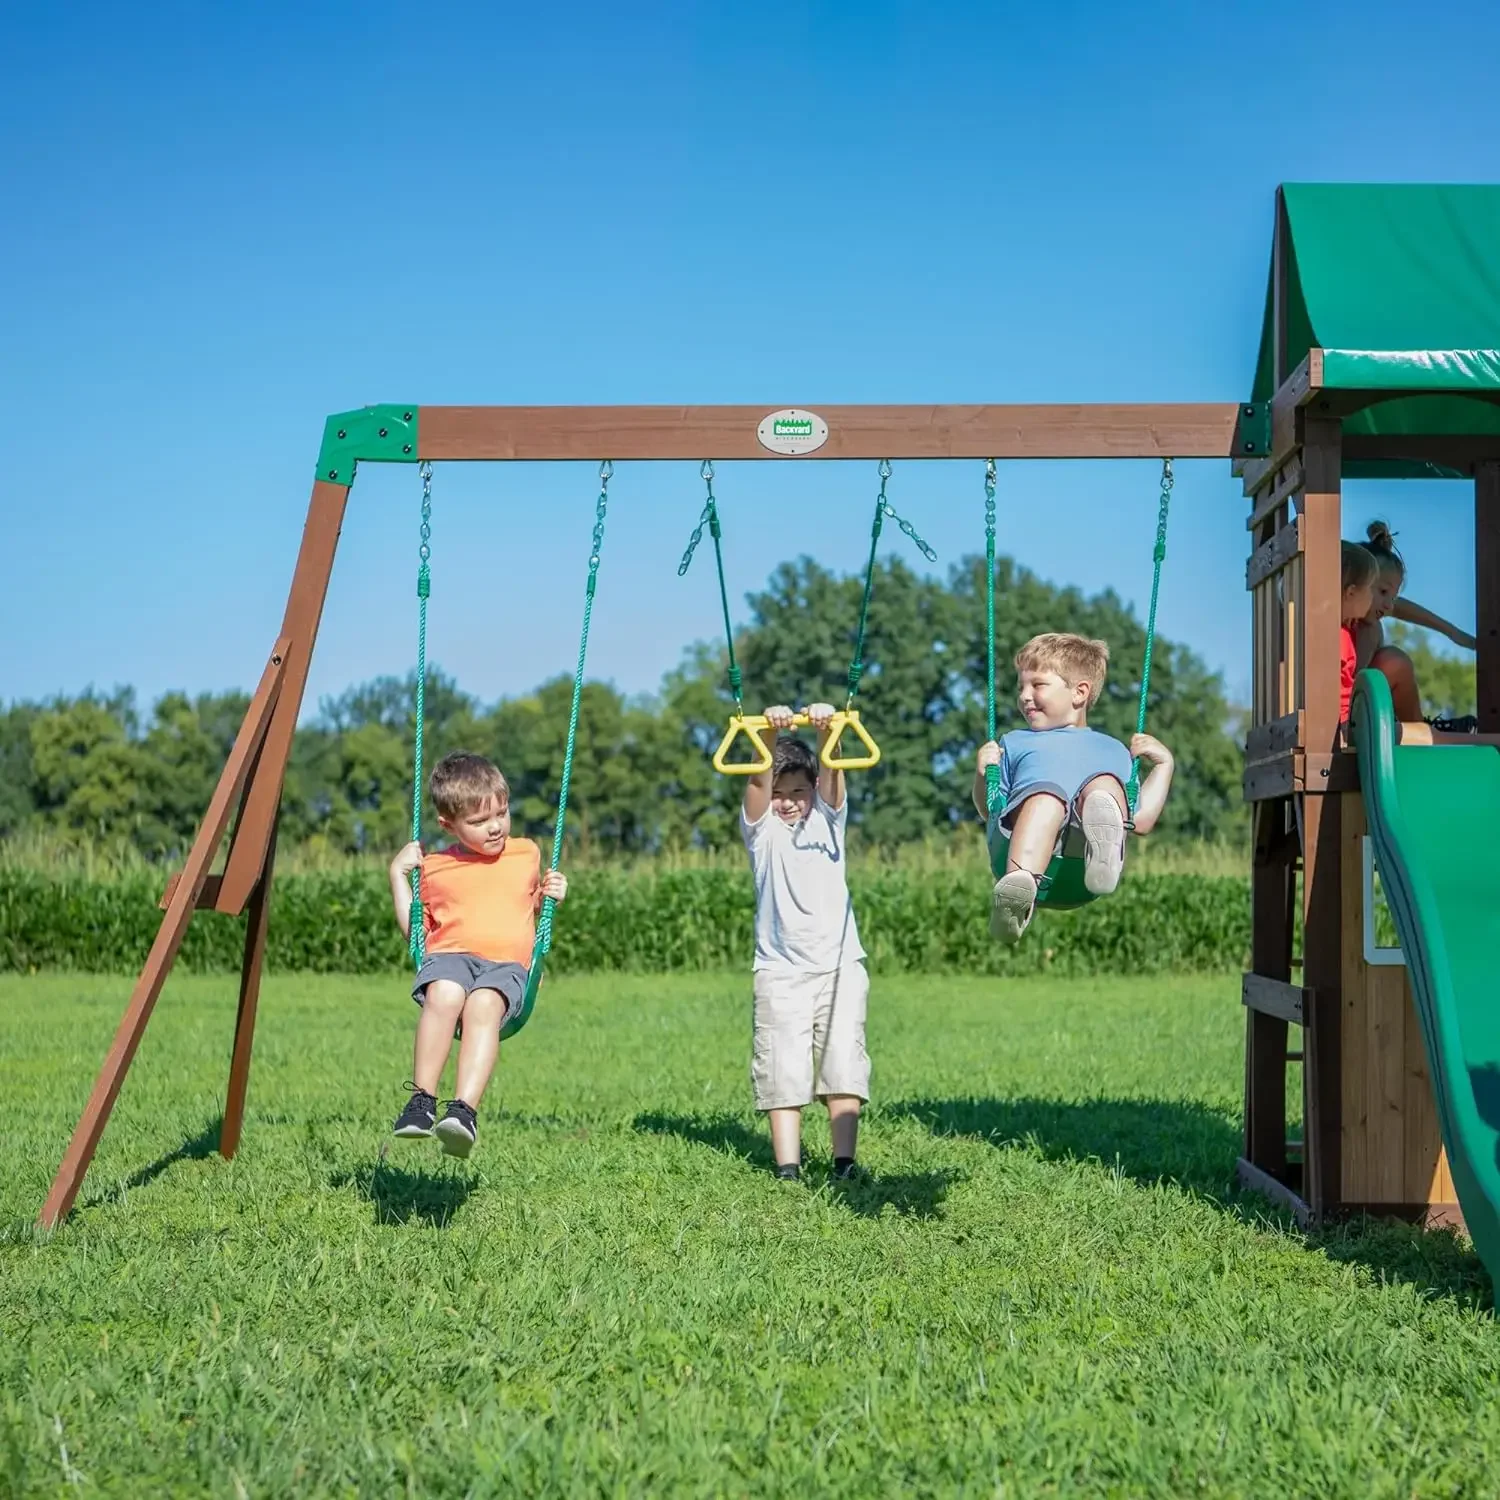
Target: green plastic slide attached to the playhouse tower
1433 812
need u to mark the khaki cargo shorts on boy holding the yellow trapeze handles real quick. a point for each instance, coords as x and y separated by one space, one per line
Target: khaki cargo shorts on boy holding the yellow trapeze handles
809 1036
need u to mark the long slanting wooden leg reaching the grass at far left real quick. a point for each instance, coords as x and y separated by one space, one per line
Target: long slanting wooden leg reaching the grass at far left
169 940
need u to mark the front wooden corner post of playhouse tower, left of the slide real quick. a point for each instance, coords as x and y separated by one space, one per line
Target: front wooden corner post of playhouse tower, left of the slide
1322 908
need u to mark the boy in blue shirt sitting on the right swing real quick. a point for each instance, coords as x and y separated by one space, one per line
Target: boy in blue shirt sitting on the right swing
1063 785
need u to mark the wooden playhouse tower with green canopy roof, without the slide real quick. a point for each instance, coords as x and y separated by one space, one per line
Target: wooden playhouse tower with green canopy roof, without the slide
1378 358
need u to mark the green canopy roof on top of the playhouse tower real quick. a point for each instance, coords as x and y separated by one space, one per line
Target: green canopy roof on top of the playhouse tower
1400 287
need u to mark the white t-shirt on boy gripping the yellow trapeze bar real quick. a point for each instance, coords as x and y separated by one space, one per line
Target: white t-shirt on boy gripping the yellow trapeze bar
803 914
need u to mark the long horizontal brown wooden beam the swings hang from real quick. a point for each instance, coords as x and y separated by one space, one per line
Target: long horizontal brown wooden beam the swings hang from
854 433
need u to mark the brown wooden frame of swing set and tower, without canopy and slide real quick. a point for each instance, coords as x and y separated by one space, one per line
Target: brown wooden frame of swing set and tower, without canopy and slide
1292 443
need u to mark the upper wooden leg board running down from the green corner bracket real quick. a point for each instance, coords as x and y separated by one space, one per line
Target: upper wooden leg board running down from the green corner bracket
310 589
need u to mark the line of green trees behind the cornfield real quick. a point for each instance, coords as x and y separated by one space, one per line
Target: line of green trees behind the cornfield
98 769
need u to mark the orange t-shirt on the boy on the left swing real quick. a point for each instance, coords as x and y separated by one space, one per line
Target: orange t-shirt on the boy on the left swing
481 905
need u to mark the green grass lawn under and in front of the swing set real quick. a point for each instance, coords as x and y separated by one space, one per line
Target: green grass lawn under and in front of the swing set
1048 1289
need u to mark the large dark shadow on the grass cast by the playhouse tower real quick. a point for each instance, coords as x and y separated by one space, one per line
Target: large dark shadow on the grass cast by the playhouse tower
1196 1148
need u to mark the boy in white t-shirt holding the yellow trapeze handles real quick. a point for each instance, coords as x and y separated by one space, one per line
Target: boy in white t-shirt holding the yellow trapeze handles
811 985
